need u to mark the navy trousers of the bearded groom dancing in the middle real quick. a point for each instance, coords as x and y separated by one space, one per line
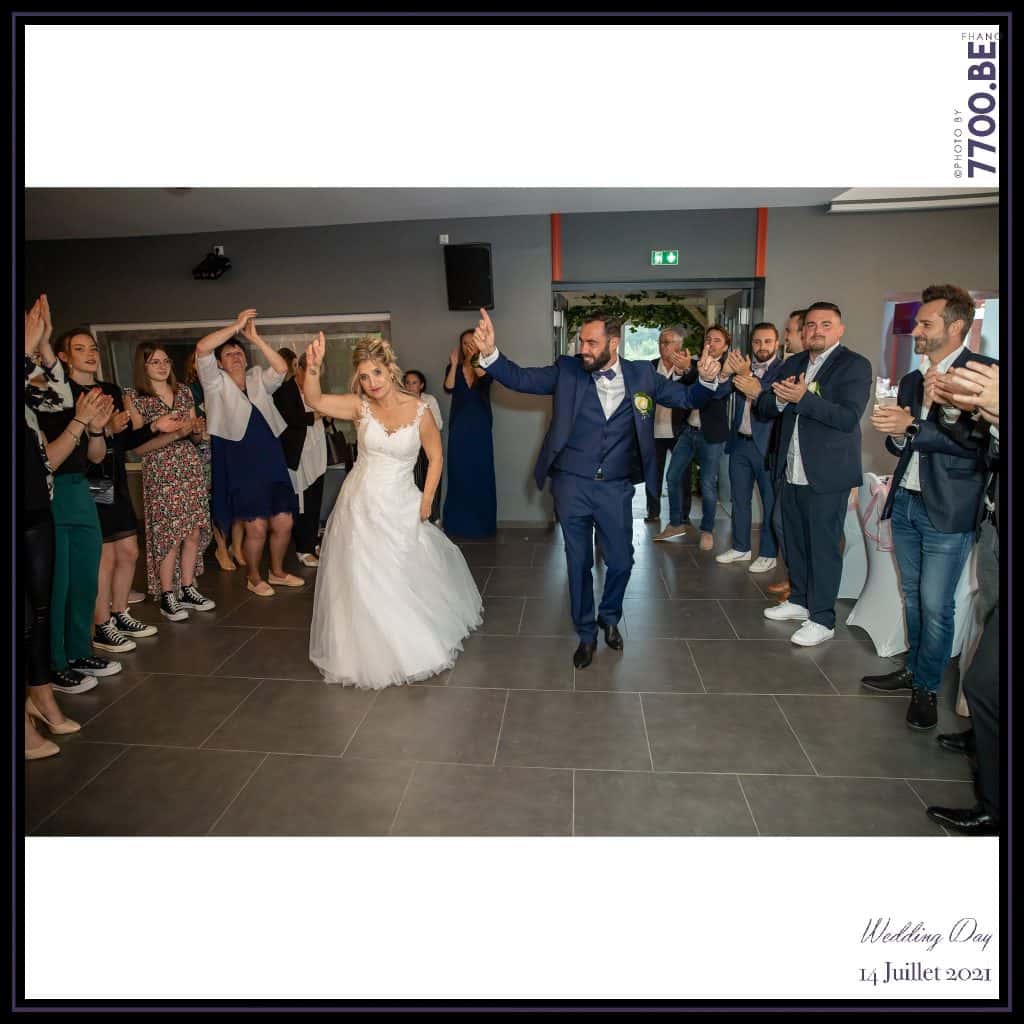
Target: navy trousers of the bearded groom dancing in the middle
583 505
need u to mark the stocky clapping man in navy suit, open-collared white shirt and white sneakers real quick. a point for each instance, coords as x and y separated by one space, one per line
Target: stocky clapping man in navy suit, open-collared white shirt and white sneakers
821 397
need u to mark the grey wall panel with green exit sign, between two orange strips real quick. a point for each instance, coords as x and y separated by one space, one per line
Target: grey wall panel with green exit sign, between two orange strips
616 247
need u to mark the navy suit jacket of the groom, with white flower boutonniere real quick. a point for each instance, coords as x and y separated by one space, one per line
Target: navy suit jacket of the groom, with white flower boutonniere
568 381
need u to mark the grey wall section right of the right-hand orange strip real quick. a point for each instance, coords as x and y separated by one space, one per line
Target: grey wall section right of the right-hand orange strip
857 260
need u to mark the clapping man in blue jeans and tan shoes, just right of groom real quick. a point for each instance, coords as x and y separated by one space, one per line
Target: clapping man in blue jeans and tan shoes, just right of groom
704 438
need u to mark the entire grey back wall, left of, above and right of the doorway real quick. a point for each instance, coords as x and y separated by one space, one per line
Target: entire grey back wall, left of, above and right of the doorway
852 260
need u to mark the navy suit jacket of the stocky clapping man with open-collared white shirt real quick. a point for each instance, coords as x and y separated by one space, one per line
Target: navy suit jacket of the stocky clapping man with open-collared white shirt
830 422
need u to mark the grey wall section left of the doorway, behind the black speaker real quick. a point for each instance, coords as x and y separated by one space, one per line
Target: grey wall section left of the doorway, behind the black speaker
388 268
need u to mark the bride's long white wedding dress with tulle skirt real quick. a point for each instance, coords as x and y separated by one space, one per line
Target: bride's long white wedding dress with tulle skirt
395 598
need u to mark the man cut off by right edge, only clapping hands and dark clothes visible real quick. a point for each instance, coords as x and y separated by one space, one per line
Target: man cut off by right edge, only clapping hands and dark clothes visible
983 681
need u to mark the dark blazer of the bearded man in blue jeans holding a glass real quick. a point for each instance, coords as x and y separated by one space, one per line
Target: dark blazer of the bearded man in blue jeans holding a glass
953 473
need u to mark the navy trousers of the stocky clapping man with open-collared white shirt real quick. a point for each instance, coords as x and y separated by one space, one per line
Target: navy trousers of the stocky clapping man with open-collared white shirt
814 528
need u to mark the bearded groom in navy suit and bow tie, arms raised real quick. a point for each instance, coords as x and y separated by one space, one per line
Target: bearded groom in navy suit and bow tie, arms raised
601 443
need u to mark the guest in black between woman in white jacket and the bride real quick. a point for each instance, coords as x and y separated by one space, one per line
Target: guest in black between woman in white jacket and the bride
306 454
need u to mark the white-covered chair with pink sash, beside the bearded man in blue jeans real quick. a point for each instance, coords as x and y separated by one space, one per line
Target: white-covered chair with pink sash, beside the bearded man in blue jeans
879 611
